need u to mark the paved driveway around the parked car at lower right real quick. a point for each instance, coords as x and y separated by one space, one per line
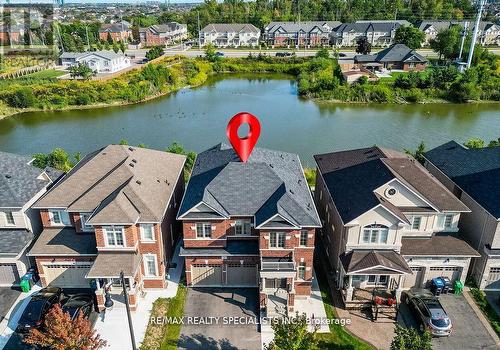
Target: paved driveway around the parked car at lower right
467 328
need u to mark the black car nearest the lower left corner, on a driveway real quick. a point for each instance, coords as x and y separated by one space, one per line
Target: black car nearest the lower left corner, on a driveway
38 307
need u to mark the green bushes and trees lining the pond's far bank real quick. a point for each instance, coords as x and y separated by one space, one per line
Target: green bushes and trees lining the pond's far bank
318 78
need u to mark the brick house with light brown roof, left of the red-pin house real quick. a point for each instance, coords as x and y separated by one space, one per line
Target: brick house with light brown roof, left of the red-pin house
113 212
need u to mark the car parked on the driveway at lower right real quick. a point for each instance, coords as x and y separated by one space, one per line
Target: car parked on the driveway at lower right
429 312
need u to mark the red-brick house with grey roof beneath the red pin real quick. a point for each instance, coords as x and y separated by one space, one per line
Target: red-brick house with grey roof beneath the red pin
250 225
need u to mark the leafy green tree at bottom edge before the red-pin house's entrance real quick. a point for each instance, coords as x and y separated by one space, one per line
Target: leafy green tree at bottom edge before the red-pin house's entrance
292 335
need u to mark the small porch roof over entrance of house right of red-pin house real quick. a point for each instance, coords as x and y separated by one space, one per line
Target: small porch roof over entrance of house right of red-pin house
380 260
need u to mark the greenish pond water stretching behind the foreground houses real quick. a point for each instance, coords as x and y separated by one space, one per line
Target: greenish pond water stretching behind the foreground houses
197 118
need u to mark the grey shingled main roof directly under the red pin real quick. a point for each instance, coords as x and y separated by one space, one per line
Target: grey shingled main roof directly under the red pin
269 183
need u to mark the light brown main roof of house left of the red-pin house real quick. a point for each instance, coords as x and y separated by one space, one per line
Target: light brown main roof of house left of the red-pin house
119 184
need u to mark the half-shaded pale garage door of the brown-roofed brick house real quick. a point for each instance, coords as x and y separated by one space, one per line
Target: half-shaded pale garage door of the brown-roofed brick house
67 275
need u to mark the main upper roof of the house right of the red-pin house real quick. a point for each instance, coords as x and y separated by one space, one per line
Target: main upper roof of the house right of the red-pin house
352 177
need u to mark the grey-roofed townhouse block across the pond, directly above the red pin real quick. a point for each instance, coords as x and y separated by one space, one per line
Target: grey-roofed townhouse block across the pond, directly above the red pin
230 35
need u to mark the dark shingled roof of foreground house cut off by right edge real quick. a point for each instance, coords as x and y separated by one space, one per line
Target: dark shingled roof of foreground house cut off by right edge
476 171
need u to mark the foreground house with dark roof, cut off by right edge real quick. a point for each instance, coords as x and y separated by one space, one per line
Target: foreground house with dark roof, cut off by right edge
473 175
